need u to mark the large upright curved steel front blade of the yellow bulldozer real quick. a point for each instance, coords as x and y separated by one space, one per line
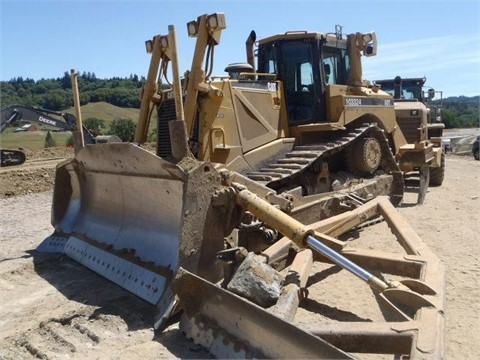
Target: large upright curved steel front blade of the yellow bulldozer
134 217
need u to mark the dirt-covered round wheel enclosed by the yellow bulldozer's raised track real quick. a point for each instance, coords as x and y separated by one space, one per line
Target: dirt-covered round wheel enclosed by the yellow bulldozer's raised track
365 156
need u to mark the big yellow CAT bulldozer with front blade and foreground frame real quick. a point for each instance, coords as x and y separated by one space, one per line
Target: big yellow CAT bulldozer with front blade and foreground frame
266 166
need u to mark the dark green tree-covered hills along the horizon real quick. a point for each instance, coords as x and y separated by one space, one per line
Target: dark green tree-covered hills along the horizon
56 94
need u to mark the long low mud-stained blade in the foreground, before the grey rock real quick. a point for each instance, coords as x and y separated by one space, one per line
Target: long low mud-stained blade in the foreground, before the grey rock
232 327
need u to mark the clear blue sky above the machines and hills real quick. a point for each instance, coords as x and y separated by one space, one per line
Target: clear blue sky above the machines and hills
436 39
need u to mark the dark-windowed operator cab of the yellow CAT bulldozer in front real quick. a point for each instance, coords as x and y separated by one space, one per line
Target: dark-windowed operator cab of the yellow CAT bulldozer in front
306 63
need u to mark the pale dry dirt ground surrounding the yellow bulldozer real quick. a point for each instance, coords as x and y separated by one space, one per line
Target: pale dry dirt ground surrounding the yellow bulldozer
53 308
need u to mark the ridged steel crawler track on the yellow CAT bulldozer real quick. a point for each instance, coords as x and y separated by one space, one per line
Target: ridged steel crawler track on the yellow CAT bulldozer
291 166
